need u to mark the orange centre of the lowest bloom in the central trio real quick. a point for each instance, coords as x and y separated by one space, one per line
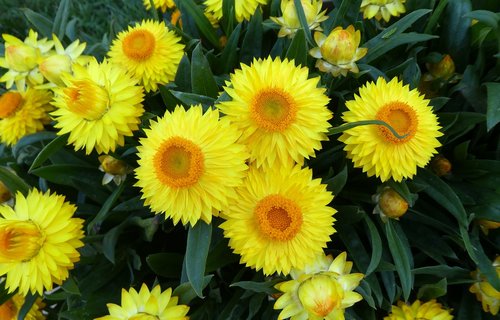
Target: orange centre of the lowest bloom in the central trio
278 218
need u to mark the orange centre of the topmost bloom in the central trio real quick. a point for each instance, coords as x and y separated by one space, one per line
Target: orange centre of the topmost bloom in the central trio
273 109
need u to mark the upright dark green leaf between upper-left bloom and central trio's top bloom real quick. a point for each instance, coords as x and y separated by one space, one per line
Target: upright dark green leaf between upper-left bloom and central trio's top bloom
202 79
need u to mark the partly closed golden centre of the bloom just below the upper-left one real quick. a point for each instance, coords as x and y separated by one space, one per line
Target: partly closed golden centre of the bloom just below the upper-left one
87 99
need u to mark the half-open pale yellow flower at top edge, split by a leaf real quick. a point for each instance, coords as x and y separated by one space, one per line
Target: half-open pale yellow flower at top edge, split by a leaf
289 21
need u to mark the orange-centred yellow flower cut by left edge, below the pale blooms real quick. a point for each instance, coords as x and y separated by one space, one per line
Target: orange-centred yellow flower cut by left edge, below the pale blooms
23 113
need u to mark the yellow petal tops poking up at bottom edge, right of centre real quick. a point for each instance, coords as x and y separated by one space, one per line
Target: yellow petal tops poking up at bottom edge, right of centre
430 310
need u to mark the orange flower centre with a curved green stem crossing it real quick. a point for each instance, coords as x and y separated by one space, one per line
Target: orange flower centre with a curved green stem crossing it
401 117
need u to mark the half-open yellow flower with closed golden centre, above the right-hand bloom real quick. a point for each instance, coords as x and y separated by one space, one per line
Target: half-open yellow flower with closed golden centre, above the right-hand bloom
338 53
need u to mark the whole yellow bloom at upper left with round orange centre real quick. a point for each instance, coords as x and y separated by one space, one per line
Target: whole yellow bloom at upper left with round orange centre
150 52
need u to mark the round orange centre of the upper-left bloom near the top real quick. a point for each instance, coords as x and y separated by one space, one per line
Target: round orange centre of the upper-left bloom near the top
139 45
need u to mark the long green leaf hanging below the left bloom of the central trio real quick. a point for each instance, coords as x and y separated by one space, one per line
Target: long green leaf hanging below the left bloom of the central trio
198 244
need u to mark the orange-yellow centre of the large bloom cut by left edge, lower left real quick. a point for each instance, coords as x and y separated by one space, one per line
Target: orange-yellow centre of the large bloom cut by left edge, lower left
19 241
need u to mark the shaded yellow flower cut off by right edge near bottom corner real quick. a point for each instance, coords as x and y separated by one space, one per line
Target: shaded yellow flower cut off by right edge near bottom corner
485 292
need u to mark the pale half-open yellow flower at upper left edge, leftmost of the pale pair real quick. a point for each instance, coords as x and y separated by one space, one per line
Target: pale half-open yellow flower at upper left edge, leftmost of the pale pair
21 58
